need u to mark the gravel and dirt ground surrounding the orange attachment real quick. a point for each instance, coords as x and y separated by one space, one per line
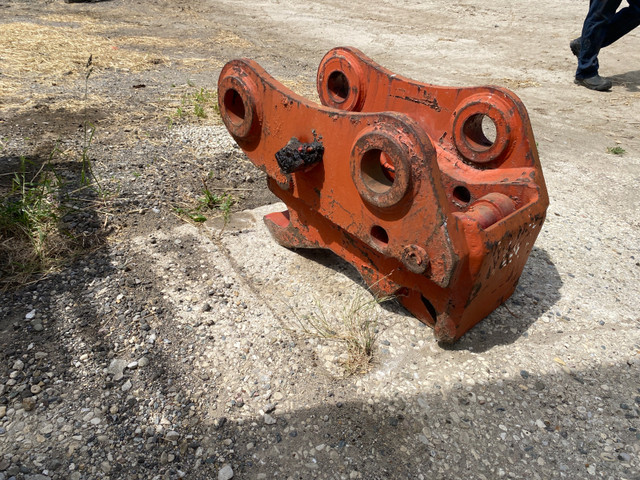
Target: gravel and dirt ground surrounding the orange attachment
171 350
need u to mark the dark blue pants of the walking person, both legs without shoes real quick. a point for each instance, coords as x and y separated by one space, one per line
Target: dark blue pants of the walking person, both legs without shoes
602 27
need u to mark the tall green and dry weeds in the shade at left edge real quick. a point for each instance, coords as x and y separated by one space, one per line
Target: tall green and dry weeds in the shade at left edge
33 236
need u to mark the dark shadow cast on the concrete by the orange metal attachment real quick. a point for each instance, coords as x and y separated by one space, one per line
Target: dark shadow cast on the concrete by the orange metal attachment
537 291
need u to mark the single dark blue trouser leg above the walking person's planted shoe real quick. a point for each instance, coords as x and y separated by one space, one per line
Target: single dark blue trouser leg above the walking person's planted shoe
594 31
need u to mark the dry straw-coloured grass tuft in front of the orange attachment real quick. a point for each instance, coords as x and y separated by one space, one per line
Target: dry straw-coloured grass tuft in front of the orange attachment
355 326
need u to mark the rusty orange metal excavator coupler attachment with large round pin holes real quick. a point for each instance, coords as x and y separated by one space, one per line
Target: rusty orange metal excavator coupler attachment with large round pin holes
404 180
